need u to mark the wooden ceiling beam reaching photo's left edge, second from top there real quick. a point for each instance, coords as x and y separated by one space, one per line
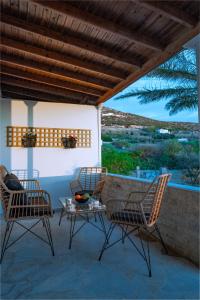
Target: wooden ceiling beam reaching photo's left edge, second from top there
62 58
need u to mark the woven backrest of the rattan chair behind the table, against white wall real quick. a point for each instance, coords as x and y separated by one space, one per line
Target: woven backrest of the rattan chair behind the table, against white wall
90 176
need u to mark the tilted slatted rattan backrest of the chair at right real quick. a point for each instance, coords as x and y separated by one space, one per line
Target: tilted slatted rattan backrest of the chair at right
153 198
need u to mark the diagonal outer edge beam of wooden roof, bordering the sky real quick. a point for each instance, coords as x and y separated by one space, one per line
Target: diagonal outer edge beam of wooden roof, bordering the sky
157 60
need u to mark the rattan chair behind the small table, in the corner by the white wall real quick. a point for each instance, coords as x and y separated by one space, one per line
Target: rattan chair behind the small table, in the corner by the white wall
90 180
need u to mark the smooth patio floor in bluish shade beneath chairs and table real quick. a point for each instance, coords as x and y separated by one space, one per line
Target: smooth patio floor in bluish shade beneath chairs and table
30 272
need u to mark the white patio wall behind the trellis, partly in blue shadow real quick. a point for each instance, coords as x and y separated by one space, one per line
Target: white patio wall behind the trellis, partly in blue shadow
56 165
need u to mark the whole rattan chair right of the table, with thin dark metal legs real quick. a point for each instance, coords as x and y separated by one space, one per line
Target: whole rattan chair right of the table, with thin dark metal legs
139 213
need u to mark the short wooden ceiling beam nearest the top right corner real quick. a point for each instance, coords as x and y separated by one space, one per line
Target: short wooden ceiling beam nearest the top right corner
170 11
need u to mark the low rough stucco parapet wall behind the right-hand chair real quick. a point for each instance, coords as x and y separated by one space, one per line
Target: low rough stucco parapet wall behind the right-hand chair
179 216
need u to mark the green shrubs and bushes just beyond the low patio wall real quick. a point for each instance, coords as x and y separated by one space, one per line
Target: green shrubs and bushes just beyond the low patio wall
170 154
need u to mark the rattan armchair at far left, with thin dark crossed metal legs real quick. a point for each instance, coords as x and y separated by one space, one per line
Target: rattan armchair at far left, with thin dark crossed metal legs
31 202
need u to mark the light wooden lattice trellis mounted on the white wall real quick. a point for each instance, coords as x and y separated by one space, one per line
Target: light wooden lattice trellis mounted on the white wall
48 137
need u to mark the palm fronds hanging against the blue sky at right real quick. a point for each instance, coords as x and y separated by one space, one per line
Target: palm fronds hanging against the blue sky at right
175 81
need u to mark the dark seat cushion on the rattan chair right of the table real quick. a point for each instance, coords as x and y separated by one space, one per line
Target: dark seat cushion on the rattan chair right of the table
128 217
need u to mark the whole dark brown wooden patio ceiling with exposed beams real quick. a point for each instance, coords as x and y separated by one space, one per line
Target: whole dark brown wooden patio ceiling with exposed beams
87 51
